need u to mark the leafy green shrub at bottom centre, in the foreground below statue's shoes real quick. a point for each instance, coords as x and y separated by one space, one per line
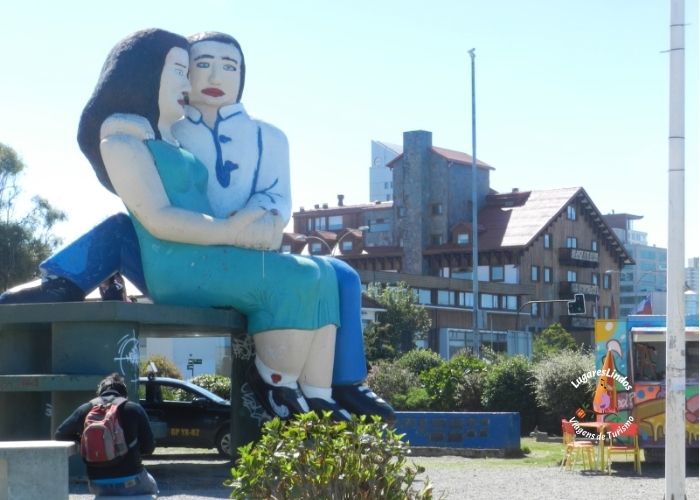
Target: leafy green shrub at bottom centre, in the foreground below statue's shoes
315 458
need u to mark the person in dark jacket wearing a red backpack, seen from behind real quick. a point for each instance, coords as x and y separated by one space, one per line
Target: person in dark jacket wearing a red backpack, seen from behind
112 433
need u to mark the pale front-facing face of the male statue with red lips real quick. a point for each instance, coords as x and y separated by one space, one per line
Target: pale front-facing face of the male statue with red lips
215 74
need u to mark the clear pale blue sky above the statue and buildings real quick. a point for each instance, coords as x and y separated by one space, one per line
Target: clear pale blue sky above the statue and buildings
569 93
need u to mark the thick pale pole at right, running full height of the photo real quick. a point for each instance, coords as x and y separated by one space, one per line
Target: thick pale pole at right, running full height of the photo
675 326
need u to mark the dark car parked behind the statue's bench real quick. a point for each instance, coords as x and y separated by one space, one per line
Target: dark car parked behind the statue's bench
185 415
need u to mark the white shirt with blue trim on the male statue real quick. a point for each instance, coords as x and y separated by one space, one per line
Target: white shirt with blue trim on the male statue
247 160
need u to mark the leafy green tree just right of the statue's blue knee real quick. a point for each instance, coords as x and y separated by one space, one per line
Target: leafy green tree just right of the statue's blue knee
403 322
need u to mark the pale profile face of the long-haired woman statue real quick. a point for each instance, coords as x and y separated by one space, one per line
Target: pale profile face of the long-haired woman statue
173 85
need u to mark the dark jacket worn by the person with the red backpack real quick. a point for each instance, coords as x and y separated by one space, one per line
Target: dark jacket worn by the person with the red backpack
133 420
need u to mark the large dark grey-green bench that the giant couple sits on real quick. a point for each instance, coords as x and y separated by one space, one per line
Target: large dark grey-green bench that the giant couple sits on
53 355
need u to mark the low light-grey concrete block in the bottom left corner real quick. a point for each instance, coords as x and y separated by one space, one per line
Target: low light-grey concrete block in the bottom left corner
34 469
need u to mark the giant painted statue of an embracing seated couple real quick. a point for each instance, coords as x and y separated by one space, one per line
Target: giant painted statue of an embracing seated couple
208 194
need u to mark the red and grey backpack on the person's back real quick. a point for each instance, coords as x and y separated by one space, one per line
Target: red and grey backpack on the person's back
103 441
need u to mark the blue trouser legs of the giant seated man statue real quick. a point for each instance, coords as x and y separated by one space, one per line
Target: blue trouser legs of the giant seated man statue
112 246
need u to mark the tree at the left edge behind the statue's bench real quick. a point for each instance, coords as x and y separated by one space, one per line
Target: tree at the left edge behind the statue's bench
24 241
